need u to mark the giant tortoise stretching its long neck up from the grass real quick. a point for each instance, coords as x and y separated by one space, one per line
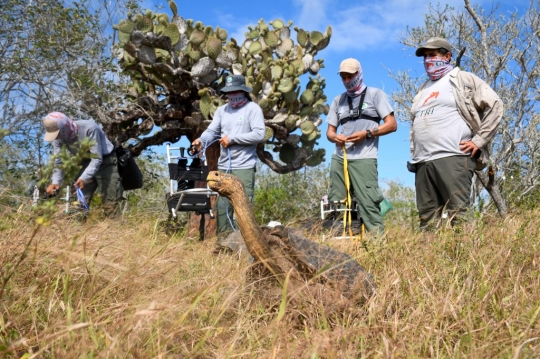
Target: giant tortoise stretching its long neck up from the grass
285 251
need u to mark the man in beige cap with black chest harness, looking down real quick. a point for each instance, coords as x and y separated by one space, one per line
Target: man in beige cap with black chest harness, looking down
358 111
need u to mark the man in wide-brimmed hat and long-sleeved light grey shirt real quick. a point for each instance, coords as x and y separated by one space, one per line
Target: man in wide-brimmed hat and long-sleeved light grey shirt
239 127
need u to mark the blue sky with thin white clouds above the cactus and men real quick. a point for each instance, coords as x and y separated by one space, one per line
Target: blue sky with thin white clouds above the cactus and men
366 30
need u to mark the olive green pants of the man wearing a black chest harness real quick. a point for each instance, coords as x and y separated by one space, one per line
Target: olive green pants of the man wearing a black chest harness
364 182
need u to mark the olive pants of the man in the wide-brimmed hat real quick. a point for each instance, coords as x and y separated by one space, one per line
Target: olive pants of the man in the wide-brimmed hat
225 215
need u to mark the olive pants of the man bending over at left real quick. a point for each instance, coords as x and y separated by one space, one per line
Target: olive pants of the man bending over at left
107 183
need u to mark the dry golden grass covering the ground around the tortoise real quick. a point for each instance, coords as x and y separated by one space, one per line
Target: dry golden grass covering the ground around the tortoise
125 289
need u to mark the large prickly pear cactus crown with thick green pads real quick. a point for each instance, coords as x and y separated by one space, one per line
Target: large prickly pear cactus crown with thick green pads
177 66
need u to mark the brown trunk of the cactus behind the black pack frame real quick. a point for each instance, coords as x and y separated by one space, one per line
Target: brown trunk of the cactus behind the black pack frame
202 226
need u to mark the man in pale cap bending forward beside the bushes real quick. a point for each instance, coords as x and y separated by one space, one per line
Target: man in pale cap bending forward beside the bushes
98 173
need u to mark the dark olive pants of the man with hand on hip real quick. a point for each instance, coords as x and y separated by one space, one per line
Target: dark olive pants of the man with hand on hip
443 185
